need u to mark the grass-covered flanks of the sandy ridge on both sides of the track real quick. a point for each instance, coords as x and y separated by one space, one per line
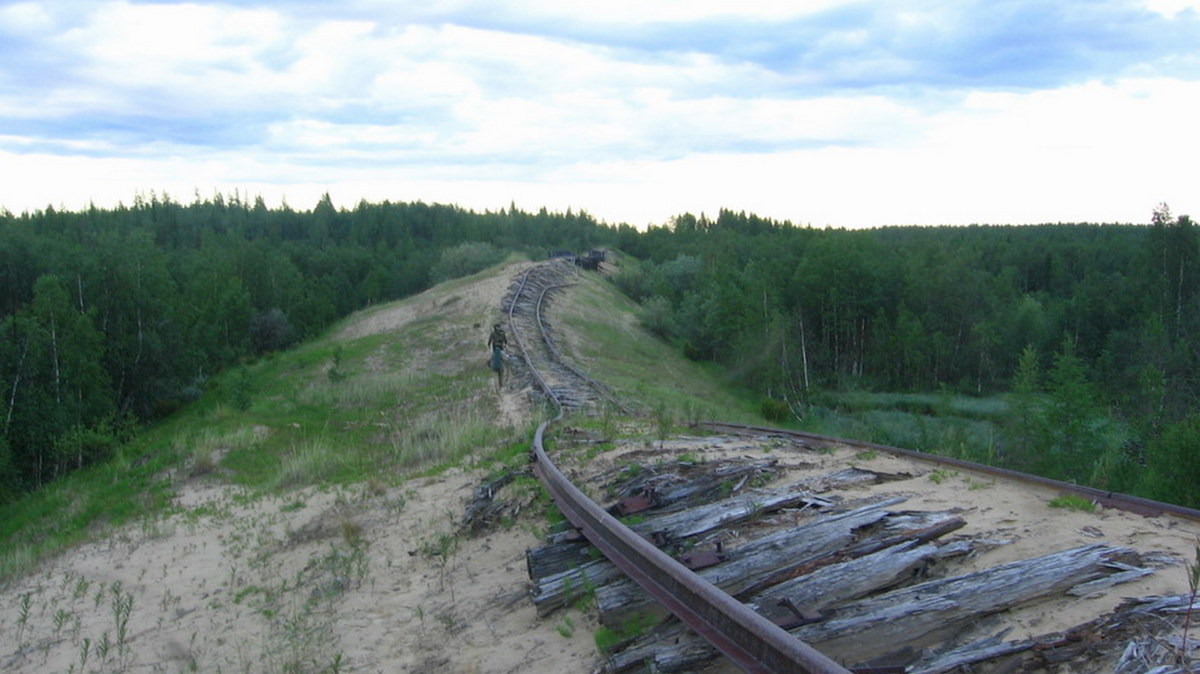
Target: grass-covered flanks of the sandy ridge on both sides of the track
339 411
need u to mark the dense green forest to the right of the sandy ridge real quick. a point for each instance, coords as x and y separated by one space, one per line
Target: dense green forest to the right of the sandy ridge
1087 323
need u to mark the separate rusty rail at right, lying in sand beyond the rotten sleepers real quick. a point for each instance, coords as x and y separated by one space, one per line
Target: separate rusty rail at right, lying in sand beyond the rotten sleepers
1129 503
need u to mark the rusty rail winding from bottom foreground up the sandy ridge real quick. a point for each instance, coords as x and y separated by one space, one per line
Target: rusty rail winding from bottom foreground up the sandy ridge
751 641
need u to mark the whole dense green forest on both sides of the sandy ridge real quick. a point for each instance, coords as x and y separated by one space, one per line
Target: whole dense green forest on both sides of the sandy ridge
116 317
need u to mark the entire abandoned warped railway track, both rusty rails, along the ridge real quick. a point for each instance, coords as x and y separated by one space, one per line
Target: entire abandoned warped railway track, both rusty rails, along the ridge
749 640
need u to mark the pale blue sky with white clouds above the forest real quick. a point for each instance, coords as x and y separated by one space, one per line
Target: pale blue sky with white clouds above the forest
823 113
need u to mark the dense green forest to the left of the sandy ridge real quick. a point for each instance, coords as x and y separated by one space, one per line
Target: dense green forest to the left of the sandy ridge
113 317
